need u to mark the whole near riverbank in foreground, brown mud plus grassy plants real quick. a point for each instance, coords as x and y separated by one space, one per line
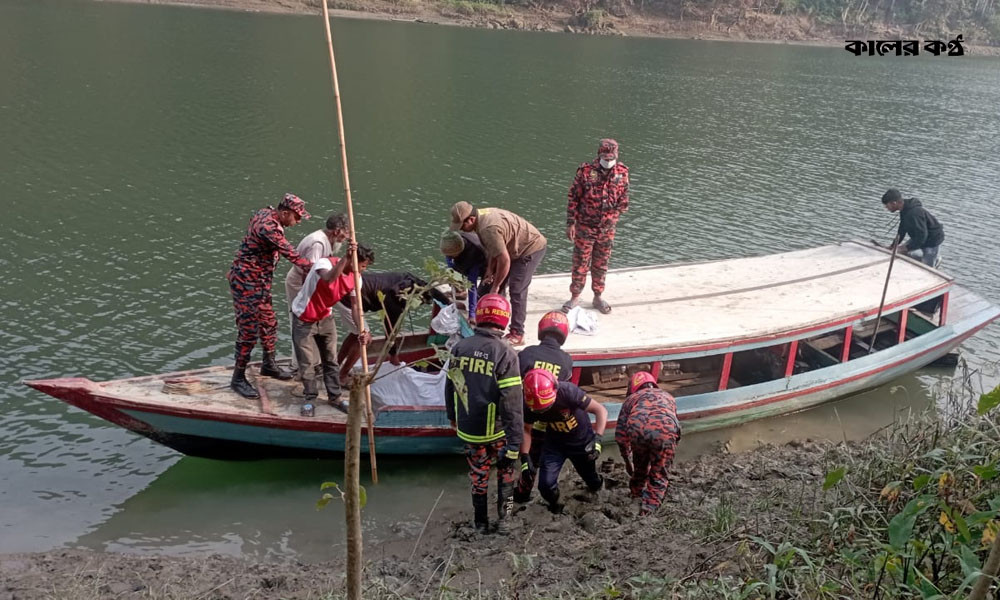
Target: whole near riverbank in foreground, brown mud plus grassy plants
914 508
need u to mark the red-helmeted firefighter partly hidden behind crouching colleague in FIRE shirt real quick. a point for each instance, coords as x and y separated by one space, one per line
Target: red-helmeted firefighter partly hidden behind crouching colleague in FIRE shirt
549 355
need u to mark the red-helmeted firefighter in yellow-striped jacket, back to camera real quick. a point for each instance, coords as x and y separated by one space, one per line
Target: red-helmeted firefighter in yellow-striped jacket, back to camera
486 409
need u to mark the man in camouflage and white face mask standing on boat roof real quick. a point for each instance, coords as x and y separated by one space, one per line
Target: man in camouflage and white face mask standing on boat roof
597 198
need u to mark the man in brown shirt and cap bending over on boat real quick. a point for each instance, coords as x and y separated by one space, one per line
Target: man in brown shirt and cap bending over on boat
514 248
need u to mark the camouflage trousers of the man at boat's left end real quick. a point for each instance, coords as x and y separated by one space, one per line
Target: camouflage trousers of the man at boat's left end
255 319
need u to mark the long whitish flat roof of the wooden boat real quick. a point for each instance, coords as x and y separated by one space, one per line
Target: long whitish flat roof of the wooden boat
676 306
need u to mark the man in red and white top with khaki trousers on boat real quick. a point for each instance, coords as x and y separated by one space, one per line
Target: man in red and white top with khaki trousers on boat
314 328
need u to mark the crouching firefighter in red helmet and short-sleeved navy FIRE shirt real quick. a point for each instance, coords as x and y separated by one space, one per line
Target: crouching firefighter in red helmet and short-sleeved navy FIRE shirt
565 409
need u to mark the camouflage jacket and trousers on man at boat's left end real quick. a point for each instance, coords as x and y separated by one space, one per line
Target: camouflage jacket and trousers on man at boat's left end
250 282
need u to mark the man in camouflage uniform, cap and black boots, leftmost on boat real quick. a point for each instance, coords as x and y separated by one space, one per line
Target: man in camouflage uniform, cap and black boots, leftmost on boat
250 283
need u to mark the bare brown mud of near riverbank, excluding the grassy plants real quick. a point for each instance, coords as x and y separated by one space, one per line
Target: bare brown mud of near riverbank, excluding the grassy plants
597 539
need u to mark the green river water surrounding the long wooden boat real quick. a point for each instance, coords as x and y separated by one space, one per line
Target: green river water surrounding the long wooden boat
135 141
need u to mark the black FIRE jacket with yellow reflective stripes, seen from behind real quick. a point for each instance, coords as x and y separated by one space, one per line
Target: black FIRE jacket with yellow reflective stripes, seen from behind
487 405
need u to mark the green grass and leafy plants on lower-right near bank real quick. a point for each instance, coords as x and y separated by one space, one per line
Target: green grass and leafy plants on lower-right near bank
911 512
